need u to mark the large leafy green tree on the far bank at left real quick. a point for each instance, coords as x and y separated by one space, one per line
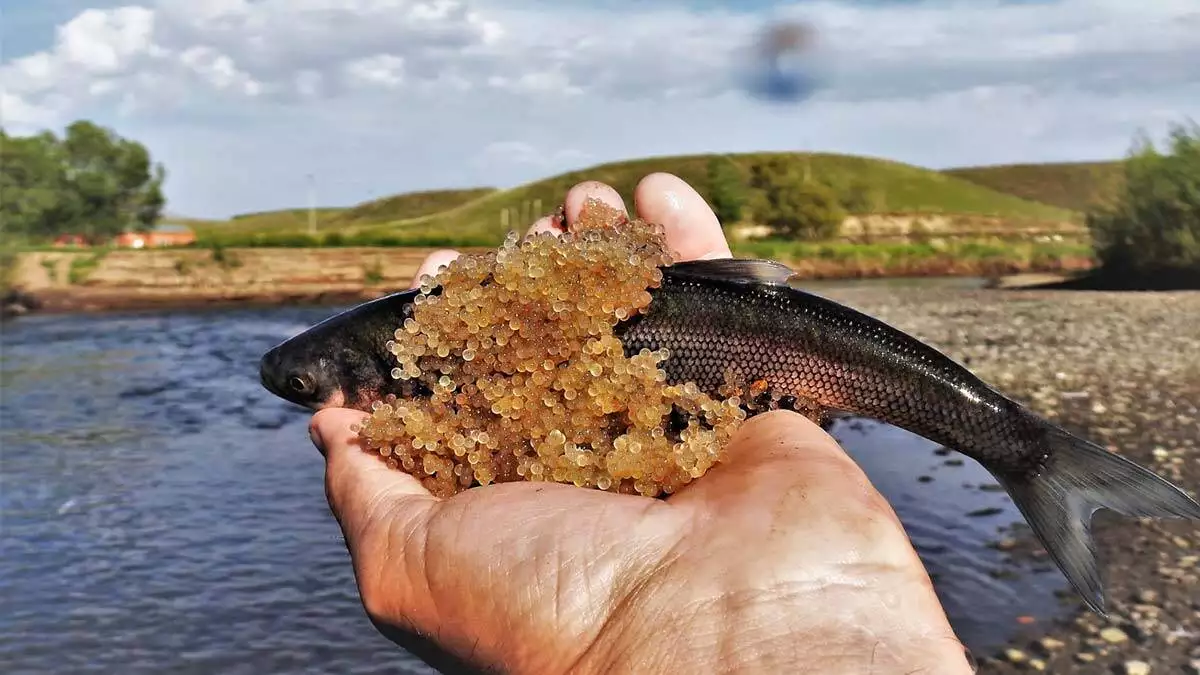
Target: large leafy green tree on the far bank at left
92 182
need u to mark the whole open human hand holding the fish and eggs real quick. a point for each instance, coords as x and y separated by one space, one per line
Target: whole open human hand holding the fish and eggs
782 559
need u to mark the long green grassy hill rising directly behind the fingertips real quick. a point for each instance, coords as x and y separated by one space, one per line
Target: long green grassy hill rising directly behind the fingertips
903 188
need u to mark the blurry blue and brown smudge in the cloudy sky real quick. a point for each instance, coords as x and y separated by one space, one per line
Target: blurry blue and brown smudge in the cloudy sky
784 63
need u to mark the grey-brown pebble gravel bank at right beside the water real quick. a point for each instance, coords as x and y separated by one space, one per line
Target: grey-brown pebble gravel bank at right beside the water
1124 371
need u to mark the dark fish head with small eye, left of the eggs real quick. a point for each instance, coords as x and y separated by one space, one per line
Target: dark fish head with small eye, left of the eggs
341 362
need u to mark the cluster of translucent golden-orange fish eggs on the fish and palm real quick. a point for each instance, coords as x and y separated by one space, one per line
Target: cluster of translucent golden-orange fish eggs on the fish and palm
527 381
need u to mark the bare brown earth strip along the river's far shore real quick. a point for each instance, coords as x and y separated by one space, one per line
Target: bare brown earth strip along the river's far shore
184 280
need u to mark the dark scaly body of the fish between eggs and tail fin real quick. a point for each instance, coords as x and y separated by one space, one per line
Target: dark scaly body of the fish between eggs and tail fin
824 355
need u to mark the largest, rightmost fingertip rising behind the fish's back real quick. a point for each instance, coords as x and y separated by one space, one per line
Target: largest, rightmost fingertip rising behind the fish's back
693 230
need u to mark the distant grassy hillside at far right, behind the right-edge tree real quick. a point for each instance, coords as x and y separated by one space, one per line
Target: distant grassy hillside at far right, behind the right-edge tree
1076 186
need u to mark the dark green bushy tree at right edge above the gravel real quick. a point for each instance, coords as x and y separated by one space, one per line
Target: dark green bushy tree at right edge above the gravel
1154 226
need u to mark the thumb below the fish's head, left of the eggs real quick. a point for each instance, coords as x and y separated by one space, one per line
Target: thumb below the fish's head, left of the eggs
358 482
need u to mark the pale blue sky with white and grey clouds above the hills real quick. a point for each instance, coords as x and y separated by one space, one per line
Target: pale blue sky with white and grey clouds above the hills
243 100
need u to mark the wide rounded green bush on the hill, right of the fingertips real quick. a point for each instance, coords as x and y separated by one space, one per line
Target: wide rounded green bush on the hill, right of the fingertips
793 205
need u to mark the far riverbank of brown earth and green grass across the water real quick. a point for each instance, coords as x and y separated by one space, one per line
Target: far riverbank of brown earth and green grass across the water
109 280
